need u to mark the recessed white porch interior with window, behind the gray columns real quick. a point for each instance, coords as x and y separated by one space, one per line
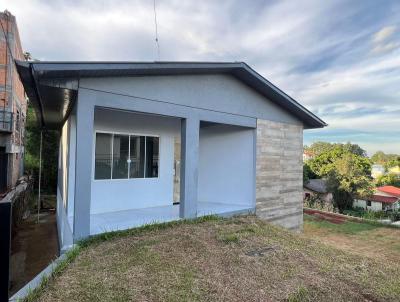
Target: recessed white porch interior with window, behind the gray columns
124 194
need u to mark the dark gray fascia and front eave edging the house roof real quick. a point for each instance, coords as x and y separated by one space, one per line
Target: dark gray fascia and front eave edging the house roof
238 69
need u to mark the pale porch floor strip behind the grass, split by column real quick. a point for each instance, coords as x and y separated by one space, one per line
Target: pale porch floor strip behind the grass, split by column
121 220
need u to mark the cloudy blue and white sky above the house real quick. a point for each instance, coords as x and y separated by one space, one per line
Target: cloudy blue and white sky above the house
340 59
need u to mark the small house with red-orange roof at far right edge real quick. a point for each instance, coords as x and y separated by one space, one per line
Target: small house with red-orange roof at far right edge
386 198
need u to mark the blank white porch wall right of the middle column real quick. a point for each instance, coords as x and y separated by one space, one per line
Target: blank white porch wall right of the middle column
226 165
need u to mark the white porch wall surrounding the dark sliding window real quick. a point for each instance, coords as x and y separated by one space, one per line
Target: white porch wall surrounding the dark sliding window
111 195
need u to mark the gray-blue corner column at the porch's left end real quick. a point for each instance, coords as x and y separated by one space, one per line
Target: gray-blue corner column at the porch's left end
83 164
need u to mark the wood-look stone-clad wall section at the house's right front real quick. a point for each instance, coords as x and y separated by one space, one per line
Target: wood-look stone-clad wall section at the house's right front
279 179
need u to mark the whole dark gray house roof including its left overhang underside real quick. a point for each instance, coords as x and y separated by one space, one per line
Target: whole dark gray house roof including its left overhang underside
53 101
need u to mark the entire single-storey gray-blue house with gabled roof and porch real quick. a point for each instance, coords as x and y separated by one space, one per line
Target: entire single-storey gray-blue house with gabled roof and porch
125 126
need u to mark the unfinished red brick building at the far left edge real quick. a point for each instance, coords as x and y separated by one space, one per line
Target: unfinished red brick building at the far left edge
12 105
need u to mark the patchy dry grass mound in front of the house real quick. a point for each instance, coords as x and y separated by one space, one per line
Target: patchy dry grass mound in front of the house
237 259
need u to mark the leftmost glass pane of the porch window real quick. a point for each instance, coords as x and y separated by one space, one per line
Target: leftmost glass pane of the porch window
102 169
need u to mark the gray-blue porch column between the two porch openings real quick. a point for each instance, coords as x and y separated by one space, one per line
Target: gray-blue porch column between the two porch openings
190 128
